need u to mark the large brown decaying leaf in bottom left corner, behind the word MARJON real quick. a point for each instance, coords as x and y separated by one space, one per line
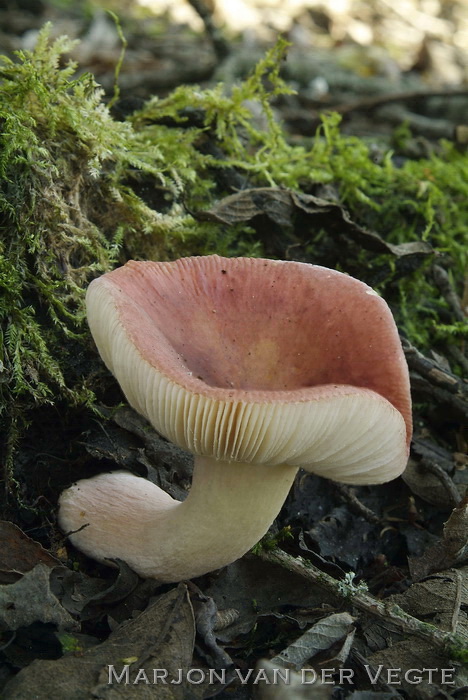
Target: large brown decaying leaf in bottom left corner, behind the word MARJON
161 637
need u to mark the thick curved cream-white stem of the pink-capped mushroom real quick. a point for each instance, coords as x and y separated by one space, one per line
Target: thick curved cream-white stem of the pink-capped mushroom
228 510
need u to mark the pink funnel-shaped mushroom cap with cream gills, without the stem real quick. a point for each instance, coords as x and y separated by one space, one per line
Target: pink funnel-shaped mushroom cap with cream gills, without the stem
256 341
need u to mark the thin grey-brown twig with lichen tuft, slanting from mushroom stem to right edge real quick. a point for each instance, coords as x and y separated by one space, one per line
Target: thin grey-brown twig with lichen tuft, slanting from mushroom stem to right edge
452 645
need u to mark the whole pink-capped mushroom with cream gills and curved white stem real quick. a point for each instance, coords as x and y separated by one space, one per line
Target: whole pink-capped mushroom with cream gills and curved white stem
257 367
